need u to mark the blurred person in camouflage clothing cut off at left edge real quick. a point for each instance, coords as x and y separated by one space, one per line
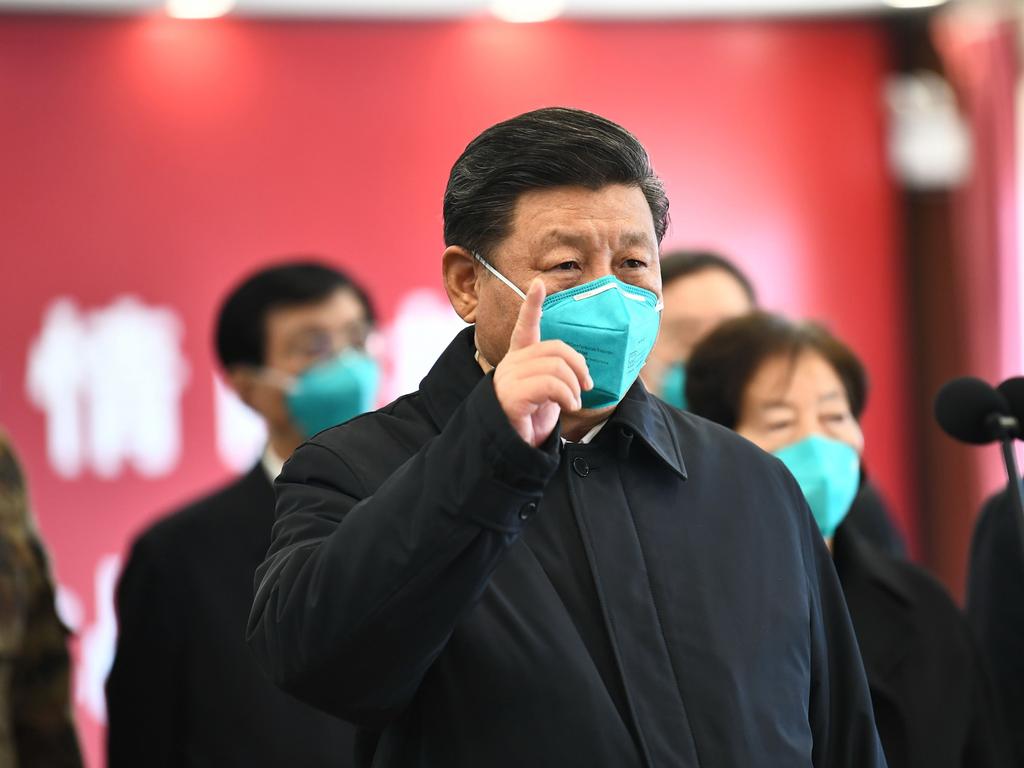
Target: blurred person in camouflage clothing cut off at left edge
36 724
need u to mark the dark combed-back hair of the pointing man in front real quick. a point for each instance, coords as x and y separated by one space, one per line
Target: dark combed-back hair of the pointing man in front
550 148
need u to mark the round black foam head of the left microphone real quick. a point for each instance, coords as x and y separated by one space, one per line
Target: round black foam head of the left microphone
972 411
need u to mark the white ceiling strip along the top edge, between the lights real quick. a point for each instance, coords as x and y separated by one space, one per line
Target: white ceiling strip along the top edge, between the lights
459 9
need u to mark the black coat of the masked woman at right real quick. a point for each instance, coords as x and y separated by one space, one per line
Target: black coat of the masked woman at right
934 704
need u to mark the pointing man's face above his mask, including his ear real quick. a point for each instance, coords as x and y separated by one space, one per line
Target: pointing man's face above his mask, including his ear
568 237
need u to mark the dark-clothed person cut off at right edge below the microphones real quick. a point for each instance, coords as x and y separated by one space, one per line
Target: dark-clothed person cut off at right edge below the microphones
996 609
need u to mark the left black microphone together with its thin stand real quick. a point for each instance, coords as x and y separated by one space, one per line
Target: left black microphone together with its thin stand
972 411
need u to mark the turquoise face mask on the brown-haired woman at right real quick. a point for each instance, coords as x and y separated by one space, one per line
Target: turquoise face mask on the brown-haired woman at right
829 474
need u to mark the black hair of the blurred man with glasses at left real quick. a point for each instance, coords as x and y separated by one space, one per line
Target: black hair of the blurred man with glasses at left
241 330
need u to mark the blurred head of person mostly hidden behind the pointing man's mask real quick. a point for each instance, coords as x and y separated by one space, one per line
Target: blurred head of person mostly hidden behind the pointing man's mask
701 289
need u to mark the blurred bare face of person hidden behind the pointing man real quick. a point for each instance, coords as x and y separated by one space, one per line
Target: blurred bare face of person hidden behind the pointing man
695 307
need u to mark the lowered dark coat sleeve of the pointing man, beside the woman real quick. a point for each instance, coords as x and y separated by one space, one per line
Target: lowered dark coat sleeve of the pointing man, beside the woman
841 712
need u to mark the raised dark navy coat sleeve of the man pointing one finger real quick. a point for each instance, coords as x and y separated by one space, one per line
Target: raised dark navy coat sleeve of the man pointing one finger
362 588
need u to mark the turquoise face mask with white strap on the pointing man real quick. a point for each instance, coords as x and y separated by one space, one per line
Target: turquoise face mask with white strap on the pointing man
612 324
